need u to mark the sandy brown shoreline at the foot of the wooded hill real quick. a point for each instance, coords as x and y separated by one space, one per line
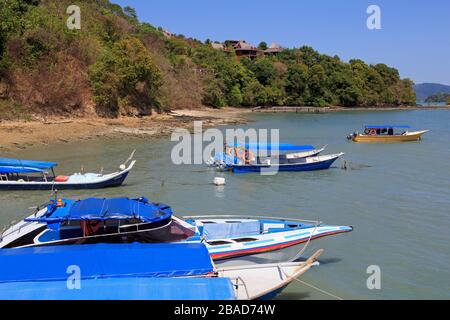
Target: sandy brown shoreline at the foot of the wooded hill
21 135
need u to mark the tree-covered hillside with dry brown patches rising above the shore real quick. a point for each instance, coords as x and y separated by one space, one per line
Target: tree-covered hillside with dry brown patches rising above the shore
116 65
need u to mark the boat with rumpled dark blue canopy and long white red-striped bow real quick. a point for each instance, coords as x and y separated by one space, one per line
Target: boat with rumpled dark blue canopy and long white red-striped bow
118 220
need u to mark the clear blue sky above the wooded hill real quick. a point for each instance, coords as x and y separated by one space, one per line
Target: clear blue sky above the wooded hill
415 34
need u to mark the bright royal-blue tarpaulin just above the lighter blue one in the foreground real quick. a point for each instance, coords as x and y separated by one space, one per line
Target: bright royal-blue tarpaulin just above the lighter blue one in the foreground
104 261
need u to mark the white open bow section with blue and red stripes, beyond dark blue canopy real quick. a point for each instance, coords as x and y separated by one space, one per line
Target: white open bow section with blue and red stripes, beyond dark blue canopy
257 238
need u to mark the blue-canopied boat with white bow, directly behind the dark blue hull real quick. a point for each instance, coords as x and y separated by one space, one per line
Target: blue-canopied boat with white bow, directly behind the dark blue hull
283 153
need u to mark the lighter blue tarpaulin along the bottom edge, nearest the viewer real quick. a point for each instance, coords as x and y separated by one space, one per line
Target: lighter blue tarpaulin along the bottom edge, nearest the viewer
122 289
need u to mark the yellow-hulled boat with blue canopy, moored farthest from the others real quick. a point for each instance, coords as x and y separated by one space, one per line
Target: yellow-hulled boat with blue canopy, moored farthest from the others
386 133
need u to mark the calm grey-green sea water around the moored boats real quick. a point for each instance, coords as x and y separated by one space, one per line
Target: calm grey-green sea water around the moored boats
397 197
